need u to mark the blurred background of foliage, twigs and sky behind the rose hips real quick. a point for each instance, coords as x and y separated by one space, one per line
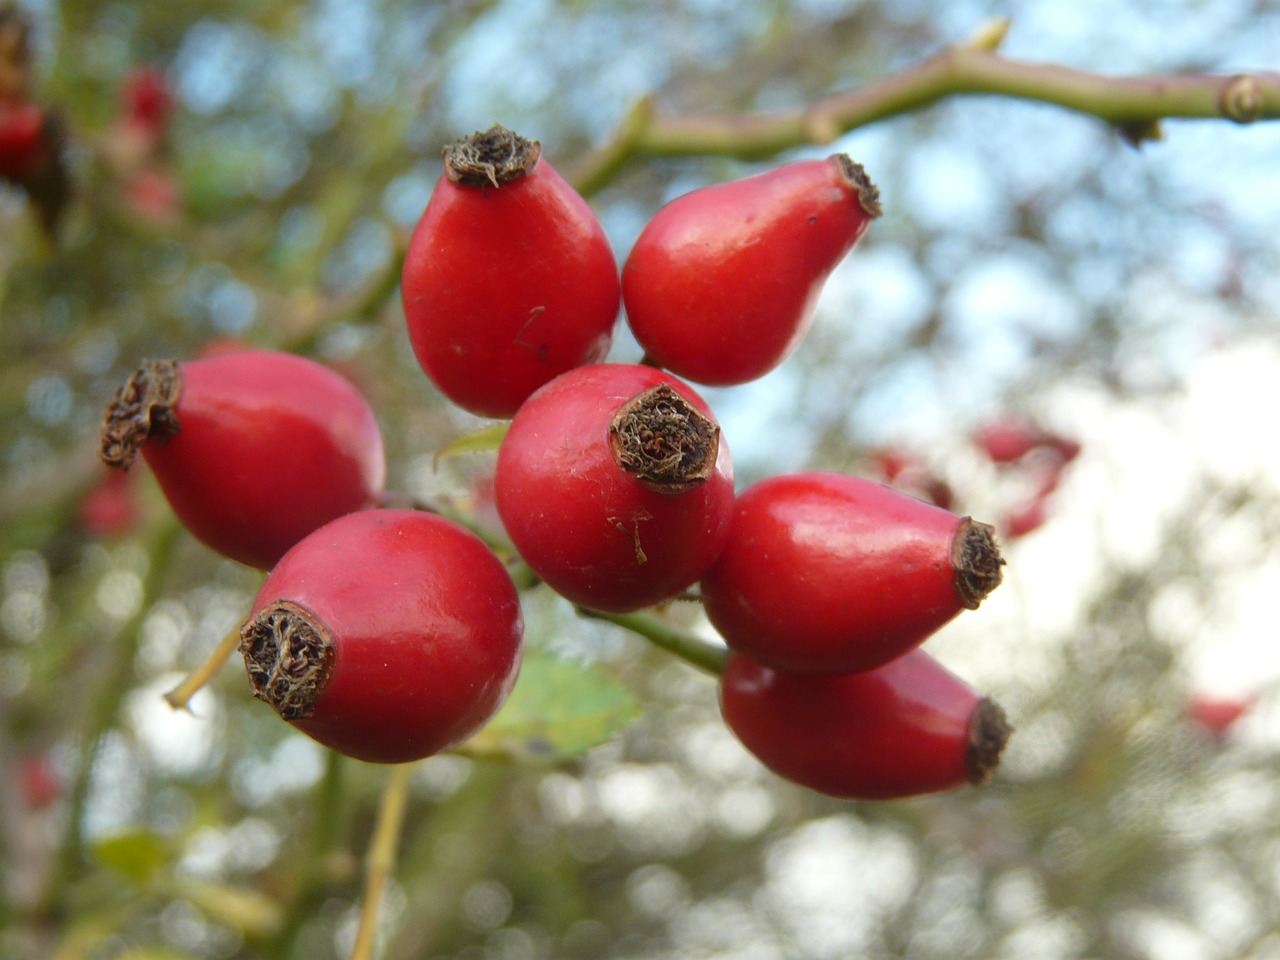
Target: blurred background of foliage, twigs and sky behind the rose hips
1031 266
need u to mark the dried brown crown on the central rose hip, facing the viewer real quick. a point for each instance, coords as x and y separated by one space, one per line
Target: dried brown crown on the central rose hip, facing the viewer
664 441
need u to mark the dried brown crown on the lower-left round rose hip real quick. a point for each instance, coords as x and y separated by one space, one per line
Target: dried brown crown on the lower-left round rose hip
289 655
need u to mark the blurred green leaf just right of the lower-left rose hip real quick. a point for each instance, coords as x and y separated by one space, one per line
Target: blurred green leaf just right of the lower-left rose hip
557 711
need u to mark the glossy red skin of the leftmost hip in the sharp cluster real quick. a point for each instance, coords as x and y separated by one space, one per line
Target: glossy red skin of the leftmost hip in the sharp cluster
272 446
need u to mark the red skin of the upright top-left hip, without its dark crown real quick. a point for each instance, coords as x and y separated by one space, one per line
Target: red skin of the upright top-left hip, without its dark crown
508 287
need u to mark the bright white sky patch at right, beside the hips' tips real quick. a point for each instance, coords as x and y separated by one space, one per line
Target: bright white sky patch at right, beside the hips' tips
1140 472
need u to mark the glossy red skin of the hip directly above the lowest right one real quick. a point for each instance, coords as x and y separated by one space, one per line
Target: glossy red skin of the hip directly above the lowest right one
826 573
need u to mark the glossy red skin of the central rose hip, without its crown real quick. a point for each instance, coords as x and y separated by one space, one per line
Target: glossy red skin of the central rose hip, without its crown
575 515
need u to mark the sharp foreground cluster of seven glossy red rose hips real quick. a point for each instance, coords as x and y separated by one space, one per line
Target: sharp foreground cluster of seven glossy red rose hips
394 634
